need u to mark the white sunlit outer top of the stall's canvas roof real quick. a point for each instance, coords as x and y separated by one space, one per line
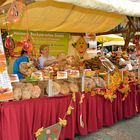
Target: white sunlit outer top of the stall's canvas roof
123 7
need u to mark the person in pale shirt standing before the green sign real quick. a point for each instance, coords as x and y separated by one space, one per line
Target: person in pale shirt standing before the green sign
45 59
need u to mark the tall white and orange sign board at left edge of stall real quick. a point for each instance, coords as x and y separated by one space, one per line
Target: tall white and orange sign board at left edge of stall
5 84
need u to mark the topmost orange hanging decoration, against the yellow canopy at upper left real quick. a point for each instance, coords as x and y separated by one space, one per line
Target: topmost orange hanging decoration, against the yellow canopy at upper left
15 12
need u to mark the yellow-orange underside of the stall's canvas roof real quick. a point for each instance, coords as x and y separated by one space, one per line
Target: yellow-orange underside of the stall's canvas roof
49 15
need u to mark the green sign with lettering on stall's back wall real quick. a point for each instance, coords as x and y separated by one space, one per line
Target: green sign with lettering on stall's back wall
57 42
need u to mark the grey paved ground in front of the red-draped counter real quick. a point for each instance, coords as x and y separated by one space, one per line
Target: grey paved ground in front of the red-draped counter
128 129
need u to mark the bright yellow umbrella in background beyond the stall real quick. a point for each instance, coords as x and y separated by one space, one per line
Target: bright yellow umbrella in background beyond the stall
108 38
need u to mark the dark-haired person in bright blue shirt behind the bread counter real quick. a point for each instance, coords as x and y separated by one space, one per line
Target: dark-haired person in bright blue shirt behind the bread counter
22 58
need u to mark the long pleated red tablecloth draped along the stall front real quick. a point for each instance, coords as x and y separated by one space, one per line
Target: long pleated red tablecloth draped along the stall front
19 120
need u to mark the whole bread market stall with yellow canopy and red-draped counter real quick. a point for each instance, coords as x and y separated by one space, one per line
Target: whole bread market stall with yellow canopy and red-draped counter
55 91
